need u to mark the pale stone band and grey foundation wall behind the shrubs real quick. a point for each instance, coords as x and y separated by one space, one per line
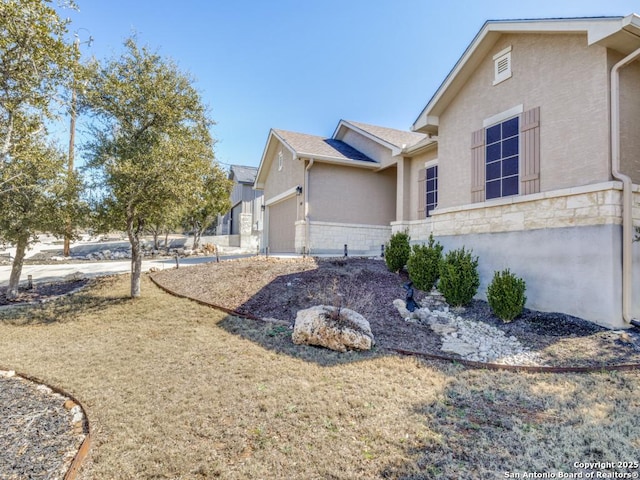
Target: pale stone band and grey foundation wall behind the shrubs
566 244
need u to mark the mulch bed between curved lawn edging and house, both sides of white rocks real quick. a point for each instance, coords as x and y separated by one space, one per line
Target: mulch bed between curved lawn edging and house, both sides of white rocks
277 289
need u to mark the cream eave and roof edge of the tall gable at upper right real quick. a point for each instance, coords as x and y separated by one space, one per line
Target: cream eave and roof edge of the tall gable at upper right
619 33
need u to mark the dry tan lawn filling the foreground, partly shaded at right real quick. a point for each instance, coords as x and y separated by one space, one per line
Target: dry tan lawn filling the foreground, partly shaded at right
178 390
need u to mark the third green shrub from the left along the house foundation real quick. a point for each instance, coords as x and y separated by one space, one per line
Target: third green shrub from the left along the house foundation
459 279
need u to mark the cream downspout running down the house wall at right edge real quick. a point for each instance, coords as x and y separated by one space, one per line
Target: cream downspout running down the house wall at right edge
627 189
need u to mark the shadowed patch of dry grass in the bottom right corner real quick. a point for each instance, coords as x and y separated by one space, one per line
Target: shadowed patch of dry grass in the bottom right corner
488 423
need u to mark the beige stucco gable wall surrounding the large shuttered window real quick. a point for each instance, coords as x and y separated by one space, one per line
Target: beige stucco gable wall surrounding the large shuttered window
558 73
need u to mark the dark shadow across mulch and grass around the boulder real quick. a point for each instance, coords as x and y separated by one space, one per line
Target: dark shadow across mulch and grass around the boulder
363 285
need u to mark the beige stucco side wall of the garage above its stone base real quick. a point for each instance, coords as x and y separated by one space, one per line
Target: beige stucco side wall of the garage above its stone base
351 195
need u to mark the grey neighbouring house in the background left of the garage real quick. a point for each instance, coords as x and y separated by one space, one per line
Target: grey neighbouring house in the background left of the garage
242 225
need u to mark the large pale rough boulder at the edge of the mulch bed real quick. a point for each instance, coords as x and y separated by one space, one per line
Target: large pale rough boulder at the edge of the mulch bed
322 326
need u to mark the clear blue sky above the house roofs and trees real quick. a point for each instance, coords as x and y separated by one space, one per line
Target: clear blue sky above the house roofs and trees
303 65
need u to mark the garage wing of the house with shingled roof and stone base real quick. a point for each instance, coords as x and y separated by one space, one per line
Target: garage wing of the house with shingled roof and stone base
324 193
